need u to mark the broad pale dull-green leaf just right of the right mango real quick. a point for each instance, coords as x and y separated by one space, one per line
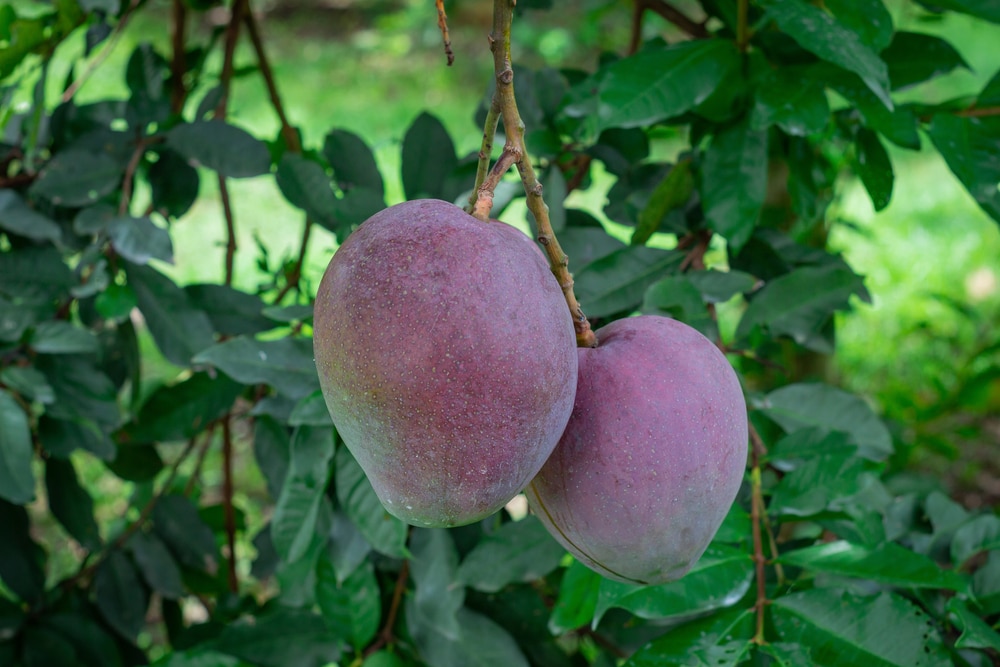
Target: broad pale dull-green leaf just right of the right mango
806 405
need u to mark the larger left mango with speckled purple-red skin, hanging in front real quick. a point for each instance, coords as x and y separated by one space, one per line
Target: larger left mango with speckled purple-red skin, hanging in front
447 358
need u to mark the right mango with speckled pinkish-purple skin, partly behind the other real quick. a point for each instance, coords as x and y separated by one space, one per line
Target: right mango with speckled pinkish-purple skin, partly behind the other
653 455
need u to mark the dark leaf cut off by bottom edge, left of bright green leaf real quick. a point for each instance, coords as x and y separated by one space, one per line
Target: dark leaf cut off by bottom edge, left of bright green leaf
282 638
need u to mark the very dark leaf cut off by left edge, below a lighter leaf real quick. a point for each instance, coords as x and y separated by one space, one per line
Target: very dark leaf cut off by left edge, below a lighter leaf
22 561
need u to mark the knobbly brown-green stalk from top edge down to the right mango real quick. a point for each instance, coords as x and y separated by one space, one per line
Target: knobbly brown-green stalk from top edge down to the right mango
503 12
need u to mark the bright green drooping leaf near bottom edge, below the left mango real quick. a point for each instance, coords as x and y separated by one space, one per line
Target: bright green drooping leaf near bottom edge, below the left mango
351 608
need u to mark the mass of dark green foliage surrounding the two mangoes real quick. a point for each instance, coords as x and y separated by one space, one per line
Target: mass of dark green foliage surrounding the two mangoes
823 560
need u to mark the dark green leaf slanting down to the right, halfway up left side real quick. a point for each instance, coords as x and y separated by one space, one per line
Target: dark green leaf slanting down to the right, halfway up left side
179 329
